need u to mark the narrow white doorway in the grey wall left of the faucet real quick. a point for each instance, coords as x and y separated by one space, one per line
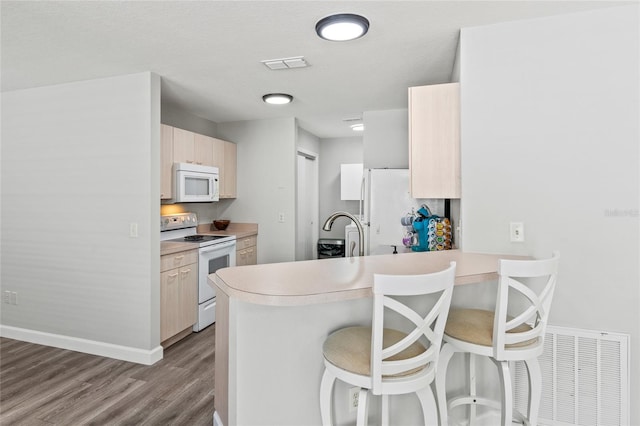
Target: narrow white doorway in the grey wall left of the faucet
307 205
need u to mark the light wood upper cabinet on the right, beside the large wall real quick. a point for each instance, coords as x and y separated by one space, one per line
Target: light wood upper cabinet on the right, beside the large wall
434 141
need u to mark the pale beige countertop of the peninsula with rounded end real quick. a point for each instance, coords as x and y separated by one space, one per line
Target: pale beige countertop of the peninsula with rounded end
279 285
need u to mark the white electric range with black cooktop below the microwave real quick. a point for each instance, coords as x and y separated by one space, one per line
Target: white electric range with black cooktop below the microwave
214 252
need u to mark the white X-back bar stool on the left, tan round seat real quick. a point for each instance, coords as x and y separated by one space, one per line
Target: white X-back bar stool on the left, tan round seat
387 361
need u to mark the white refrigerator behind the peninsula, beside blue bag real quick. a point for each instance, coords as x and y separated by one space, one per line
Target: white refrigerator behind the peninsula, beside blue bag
386 200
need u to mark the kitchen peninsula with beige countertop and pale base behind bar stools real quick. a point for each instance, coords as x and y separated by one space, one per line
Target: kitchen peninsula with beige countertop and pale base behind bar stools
272 320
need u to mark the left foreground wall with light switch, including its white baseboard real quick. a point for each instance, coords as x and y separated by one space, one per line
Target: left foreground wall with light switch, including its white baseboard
80 163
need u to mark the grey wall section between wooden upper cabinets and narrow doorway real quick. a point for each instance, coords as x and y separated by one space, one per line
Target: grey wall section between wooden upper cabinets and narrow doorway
266 183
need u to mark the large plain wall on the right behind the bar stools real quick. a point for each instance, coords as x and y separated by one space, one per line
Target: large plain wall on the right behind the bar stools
550 138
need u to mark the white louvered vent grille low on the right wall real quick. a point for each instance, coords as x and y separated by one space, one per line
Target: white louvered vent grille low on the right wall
585 377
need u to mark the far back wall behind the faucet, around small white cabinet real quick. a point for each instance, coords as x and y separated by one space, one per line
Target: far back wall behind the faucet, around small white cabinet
333 153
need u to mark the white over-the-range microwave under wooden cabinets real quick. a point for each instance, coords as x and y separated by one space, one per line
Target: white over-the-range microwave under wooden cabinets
193 183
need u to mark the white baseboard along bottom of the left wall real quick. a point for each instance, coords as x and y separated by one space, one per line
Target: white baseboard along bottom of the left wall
125 353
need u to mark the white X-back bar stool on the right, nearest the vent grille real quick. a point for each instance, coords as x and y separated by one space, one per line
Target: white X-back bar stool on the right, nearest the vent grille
515 331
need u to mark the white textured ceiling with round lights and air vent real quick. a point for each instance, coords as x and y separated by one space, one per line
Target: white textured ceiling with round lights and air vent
208 52
